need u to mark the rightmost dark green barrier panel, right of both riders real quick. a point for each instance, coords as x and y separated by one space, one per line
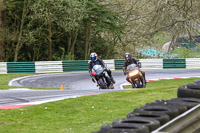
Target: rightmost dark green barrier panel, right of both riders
174 63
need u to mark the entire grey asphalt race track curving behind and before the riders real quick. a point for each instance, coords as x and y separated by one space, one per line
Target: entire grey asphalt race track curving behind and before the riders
80 84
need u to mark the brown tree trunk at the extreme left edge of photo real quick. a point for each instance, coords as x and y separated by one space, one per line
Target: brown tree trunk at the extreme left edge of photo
1 29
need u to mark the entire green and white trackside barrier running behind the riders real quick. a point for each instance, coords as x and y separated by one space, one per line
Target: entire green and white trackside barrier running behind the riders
82 65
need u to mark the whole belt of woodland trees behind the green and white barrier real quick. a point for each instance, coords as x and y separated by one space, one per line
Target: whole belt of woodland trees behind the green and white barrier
71 29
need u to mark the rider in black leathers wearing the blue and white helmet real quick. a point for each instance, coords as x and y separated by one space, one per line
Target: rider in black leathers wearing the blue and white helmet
97 61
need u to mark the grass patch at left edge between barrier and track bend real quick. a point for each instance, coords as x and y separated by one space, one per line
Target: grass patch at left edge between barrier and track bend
5 78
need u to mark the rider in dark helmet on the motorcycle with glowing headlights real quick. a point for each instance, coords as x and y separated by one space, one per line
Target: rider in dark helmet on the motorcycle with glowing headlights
129 61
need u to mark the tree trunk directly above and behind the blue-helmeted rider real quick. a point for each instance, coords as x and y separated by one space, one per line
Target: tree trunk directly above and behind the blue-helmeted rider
87 40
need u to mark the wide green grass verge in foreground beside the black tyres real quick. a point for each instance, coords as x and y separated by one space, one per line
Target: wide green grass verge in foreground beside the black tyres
85 114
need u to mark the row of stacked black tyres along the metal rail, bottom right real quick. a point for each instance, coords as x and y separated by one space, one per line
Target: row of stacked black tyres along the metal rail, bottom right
153 115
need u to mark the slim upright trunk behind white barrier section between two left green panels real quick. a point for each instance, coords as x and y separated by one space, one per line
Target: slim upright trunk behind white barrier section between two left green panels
50 42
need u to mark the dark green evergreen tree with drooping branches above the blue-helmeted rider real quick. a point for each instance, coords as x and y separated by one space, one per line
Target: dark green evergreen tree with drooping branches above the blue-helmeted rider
100 21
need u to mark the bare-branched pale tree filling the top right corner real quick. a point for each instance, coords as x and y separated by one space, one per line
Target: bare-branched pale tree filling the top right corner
178 17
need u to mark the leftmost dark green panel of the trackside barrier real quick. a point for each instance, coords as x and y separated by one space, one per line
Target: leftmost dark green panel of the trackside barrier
21 67
